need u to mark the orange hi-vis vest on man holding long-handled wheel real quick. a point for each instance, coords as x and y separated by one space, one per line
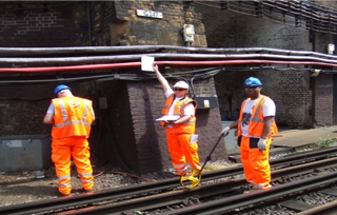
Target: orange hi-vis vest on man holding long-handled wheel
256 123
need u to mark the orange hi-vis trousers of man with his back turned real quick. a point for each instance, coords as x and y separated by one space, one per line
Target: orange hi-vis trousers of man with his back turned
76 147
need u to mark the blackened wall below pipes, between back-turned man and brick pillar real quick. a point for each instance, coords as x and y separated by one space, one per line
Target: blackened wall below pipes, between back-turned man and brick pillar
113 140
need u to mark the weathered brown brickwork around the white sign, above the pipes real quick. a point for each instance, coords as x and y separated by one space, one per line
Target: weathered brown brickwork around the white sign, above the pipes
137 30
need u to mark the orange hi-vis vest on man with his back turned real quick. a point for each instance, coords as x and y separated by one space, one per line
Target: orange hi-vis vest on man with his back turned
73 117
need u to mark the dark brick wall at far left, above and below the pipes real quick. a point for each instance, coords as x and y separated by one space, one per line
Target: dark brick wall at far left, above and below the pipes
31 24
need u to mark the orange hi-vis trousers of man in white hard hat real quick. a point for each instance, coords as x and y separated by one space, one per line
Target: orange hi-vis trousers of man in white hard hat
181 149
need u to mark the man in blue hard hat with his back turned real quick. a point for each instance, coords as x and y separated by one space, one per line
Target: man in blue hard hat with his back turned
71 118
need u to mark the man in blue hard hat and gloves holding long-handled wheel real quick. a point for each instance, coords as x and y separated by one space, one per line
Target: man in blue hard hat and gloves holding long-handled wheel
256 125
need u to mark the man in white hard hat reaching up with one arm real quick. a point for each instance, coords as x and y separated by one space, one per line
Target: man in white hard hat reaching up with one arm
181 146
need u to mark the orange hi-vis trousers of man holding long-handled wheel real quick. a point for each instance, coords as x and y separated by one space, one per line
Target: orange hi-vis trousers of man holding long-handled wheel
255 163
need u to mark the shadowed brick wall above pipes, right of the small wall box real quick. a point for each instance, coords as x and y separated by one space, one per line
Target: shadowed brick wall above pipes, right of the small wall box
228 29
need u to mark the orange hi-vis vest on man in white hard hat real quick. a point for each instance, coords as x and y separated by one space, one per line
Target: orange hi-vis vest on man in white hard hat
184 128
